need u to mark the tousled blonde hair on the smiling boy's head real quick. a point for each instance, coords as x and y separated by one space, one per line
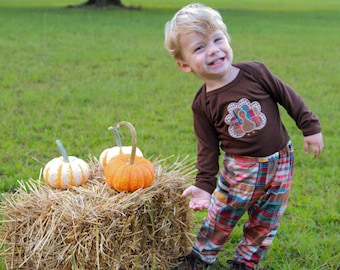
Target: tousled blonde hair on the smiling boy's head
194 17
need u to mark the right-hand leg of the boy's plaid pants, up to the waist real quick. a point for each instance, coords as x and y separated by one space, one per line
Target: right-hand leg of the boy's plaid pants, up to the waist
266 213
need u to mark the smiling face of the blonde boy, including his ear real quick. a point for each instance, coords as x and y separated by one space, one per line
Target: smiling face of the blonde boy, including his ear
209 57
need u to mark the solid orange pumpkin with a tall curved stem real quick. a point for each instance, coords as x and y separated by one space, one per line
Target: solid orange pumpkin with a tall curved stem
128 172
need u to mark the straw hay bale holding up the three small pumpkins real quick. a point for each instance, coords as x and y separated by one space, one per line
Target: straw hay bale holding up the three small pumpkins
95 227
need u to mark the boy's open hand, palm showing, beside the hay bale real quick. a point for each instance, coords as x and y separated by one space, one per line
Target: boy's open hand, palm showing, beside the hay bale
200 199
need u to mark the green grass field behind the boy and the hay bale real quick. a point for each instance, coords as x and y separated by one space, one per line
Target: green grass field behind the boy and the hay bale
70 73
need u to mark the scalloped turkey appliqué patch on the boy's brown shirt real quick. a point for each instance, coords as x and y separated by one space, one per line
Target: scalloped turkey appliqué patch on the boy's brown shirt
244 117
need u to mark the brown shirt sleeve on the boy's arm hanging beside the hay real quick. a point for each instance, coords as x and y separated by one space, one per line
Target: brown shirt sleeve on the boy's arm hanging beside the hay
207 151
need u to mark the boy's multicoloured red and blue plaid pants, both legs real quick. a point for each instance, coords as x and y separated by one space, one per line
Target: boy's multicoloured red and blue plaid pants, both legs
259 186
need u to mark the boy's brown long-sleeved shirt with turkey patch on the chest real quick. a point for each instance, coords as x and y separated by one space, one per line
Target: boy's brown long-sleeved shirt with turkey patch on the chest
242 118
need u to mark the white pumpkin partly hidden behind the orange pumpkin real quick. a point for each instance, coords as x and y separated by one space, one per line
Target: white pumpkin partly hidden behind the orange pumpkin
109 153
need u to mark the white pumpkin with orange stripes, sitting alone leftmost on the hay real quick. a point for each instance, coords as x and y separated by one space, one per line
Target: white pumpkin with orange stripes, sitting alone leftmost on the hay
66 171
